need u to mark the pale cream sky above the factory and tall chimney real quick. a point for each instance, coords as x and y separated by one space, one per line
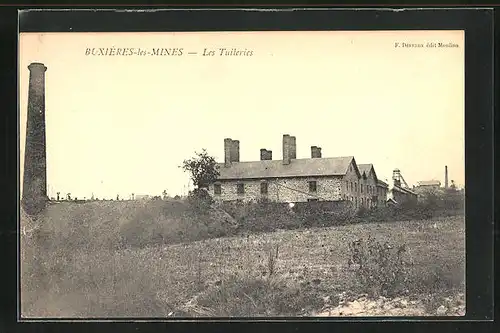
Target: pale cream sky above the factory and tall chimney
118 125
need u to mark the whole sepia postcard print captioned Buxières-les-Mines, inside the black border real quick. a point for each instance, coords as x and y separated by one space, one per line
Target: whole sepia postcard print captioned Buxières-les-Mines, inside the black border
255 174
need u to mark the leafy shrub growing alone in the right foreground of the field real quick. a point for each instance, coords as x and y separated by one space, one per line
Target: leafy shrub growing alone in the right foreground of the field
381 270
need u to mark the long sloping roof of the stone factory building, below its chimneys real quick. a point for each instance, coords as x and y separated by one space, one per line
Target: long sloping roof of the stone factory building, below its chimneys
305 167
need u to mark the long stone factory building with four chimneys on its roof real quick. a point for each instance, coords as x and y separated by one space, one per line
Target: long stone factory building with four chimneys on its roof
334 179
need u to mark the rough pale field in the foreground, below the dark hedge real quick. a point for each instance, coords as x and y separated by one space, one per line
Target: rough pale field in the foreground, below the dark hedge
160 281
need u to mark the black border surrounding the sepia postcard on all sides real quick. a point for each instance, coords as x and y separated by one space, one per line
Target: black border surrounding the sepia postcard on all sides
478 26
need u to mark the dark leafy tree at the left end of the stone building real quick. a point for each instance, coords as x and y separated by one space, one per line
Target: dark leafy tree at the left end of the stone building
203 169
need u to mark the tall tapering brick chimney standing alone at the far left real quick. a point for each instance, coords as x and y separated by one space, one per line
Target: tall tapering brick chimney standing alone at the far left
35 158
